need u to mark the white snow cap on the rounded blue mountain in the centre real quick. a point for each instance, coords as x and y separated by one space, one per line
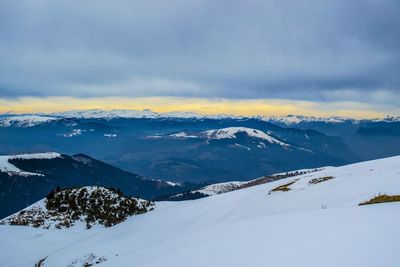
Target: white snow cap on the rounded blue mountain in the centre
231 132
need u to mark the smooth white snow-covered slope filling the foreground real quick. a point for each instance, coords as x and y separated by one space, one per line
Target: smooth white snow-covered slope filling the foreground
312 224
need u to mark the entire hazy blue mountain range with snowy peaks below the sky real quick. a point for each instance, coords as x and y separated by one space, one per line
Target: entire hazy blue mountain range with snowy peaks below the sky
190 147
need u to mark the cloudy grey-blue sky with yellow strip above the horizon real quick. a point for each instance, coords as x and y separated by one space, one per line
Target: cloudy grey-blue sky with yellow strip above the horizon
311 57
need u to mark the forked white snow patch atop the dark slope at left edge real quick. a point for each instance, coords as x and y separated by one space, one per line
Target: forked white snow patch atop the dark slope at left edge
6 166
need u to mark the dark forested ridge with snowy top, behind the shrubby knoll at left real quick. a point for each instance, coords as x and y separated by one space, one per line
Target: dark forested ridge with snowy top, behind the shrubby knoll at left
27 178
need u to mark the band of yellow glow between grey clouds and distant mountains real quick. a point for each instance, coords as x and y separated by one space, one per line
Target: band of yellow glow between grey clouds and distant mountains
263 107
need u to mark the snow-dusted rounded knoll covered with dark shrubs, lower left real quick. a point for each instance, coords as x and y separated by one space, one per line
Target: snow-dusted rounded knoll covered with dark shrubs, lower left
63 208
